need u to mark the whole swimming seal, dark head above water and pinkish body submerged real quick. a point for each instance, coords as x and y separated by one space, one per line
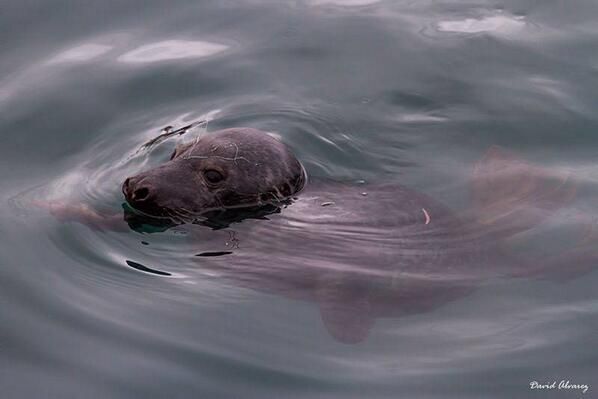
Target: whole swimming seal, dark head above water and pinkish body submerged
360 252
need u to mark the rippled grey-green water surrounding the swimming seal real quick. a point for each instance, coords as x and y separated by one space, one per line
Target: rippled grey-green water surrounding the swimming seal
410 92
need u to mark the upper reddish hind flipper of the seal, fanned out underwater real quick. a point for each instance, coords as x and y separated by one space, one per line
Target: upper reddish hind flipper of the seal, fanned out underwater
511 196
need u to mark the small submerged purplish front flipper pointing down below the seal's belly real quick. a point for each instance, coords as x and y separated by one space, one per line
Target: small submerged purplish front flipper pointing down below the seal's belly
345 309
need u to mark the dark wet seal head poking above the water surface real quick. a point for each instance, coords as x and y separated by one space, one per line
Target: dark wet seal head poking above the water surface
229 169
